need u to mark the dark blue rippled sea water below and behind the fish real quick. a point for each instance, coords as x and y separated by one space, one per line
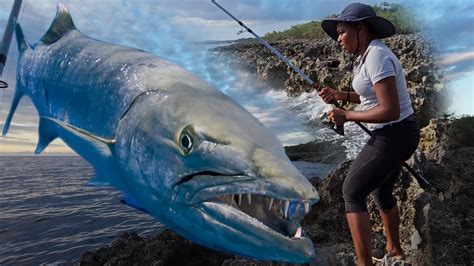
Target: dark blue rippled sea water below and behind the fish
48 213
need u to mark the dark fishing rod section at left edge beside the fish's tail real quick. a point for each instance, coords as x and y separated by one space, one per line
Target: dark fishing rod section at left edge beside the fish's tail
7 37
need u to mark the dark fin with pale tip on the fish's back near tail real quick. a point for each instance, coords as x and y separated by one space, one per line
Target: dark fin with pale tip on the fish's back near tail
61 25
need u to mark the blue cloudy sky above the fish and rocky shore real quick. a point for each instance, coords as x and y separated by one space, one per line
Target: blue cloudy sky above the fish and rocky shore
168 28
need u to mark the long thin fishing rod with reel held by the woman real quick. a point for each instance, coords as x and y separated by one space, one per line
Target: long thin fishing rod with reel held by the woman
339 129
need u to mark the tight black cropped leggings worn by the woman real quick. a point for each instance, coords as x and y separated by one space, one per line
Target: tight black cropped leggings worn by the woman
378 166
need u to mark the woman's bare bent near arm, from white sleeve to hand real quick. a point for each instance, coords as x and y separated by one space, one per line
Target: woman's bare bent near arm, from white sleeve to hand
387 110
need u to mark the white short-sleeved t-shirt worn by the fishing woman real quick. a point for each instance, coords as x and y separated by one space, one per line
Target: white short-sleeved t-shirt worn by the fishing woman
377 63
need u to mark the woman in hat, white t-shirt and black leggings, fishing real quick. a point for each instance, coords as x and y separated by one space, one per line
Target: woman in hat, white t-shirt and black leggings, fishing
380 87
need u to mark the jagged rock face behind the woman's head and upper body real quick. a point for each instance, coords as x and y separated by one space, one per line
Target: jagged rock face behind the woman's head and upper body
326 63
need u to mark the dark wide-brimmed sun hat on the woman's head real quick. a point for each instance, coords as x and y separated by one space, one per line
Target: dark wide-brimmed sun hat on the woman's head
357 12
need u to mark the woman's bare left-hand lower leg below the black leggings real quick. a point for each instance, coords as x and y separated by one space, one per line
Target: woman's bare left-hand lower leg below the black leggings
361 232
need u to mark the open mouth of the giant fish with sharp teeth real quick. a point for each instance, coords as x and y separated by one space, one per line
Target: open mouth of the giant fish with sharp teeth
257 209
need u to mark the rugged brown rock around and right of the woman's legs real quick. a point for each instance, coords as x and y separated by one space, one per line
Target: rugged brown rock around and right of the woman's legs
436 222
